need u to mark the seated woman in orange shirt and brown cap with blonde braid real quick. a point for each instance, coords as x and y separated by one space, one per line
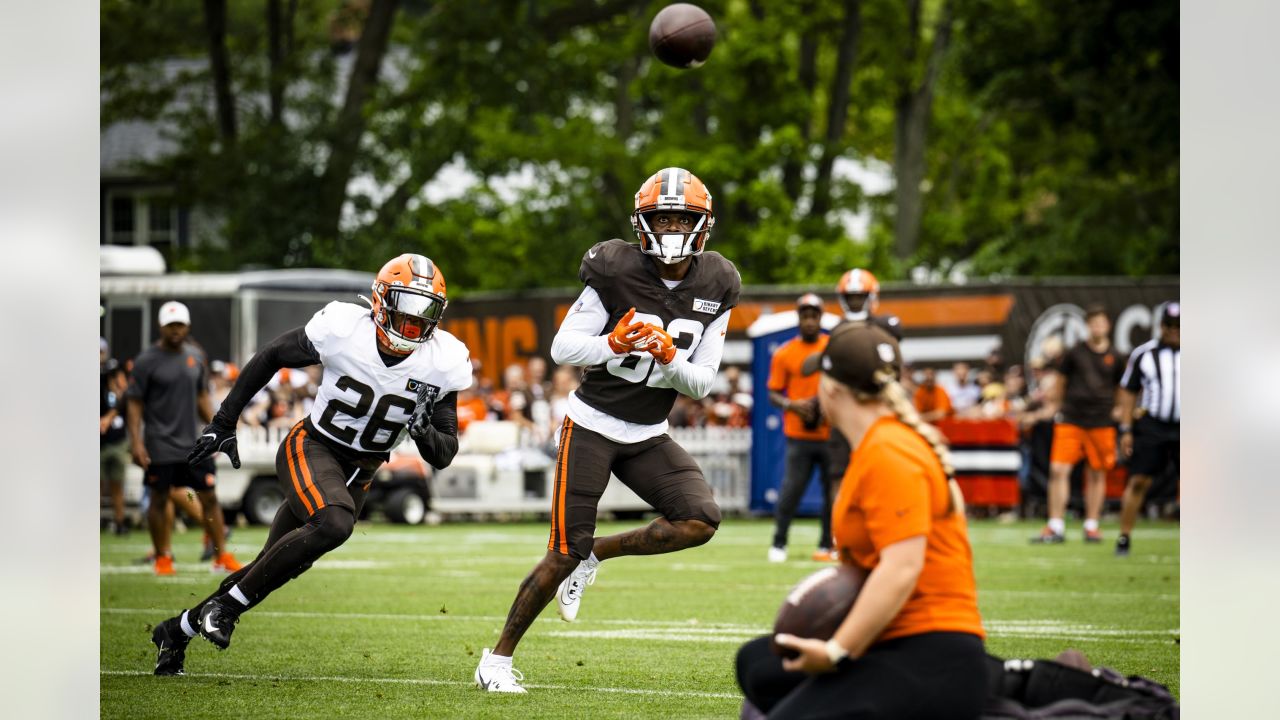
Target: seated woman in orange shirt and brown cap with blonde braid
912 646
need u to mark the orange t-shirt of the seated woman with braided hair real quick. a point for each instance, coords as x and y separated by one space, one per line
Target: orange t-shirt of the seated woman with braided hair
895 490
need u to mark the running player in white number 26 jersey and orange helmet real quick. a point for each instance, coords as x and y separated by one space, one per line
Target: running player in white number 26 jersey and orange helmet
388 372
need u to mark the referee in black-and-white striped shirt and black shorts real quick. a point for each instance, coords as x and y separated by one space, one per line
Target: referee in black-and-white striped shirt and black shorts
1150 404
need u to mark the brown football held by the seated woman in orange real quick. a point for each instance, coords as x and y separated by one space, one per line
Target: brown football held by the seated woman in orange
819 605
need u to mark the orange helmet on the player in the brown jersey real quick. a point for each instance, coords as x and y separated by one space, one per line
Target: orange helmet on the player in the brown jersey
674 189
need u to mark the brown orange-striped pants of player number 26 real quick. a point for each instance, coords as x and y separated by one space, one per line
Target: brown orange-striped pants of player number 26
316 476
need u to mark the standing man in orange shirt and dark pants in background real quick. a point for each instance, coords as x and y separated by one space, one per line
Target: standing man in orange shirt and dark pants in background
806 430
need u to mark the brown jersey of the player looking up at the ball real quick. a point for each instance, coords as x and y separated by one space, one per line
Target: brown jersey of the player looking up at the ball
624 279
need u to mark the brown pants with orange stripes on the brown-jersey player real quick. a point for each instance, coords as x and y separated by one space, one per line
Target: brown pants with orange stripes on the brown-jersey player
661 472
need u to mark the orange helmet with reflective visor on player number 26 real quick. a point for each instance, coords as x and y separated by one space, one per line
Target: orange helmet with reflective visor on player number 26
409 302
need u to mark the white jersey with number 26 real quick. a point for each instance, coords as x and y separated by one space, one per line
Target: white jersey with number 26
362 403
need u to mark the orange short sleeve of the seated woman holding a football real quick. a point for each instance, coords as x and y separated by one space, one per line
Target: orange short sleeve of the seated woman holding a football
895 498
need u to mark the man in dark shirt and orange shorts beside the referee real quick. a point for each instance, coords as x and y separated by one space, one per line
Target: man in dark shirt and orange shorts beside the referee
1086 393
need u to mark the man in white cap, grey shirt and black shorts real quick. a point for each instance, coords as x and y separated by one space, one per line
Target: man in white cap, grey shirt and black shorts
170 388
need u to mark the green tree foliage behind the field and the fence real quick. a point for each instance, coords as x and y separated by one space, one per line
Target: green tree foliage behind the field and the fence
1053 147
